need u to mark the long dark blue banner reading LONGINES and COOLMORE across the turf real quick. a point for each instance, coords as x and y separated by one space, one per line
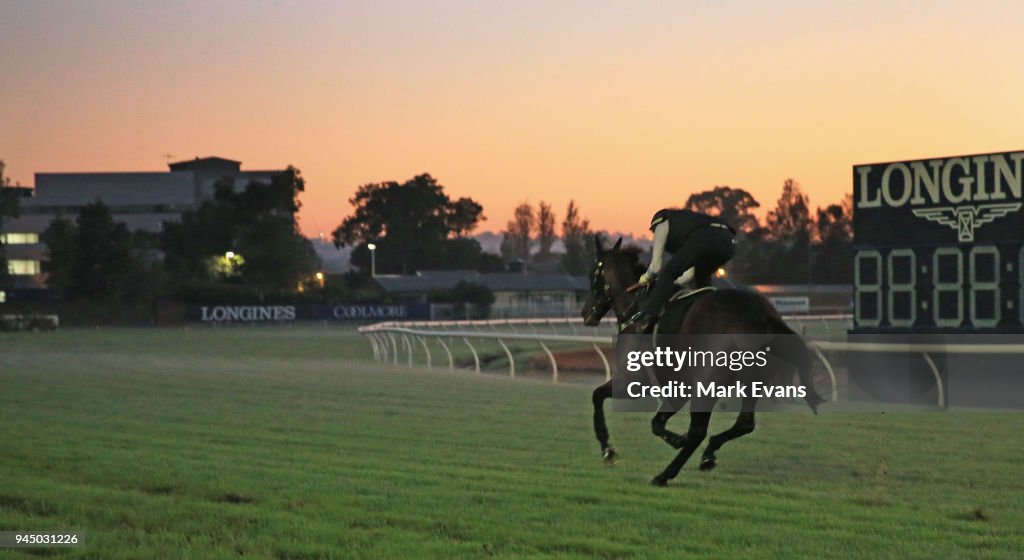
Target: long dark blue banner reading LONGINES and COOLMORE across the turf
282 314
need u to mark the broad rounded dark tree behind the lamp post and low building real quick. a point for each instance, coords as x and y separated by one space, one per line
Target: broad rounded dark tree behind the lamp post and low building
415 227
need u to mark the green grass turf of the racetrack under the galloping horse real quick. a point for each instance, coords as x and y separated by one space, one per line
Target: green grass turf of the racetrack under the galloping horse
290 444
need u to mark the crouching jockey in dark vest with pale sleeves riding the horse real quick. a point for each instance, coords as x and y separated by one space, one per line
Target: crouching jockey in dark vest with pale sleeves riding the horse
699 245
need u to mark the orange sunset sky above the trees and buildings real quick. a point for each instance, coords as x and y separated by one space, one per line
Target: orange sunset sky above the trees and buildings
626 107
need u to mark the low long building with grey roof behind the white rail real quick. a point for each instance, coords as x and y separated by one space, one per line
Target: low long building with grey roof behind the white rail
517 295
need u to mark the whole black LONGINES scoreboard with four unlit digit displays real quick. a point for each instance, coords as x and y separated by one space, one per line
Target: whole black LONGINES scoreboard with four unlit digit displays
940 245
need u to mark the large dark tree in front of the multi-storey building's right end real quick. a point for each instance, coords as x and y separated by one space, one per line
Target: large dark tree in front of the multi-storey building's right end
258 224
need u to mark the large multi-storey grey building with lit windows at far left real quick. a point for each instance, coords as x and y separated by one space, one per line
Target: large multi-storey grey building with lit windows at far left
143 201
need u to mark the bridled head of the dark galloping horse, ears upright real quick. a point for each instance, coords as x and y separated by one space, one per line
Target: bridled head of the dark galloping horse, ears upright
614 271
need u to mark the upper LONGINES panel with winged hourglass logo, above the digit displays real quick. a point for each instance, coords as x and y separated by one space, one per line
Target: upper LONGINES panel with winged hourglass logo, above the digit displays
965 200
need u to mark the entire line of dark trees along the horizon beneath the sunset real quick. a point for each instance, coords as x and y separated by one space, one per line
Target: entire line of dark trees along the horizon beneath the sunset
244 244
